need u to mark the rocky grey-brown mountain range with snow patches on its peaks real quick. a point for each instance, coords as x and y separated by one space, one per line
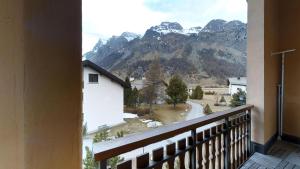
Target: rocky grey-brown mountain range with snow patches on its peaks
201 55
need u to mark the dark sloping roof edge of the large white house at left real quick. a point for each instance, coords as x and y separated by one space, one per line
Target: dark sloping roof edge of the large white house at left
87 63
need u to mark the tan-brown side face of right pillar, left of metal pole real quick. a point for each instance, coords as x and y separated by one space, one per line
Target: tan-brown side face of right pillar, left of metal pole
272 67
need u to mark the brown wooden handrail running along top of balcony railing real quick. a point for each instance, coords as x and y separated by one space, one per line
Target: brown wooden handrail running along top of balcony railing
122 145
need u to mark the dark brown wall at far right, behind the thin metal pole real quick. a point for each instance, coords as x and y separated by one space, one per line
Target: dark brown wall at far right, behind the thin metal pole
289 38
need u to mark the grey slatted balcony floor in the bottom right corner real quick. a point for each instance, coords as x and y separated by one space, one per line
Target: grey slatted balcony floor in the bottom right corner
282 155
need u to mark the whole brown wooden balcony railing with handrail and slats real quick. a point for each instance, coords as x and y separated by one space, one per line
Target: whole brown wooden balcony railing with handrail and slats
225 145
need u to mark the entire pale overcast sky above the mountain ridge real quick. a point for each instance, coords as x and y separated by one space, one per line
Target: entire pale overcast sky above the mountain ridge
104 18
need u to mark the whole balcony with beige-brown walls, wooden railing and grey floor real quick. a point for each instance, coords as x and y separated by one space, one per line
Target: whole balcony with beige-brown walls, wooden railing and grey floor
41 95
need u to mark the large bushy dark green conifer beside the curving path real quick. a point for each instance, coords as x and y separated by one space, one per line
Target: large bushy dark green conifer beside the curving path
177 91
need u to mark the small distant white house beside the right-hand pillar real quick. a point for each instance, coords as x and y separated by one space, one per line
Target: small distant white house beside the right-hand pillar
236 83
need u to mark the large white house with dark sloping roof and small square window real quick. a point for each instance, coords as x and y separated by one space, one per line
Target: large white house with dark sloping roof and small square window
102 97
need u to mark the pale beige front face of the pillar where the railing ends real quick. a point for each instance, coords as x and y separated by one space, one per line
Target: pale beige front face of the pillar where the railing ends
255 67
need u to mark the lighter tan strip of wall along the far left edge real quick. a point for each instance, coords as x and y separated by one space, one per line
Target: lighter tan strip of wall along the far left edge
11 85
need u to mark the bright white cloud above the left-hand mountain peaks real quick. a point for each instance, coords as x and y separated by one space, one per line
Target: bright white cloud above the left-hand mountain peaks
104 18
